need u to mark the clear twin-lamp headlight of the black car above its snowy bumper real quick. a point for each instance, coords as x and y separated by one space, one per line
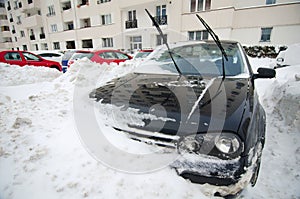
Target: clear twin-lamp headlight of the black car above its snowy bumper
223 145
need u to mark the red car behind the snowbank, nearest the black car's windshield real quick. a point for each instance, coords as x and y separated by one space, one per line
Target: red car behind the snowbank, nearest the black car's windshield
101 56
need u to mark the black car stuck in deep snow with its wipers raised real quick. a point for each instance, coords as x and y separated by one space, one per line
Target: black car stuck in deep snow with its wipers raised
213 118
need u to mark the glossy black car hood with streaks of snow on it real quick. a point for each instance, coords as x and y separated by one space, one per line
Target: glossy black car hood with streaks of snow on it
176 105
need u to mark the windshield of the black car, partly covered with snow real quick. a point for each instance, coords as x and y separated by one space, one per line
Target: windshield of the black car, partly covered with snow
196 58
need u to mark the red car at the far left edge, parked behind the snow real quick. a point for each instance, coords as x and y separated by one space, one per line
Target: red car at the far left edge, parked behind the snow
23 58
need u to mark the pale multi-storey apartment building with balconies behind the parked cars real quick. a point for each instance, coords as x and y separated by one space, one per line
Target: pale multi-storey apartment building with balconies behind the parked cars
124 24
